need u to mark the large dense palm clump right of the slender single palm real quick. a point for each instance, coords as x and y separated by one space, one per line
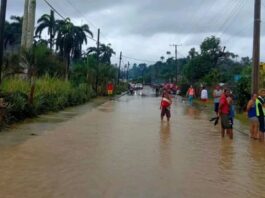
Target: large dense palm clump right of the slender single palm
69 40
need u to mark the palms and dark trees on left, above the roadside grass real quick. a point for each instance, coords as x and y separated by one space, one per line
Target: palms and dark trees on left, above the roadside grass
61 54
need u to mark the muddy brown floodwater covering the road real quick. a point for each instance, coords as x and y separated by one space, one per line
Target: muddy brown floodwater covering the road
120 149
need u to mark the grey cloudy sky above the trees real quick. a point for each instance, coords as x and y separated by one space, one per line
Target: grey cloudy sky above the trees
144 29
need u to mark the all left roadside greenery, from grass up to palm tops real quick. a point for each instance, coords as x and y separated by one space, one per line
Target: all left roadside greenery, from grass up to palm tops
54 73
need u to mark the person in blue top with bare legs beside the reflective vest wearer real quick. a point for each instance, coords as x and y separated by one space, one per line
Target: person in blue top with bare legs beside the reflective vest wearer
252 116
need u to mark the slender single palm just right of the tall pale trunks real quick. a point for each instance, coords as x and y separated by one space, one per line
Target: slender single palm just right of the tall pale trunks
47 21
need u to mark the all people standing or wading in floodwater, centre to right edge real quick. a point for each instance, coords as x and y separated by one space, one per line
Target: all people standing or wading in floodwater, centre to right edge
225 110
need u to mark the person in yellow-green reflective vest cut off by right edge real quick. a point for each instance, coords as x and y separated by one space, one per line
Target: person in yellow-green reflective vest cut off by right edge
260 113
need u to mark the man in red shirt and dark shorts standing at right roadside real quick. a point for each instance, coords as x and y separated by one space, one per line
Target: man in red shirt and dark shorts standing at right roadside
224 110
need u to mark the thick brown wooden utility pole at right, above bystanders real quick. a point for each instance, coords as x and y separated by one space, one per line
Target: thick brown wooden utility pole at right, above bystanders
256 47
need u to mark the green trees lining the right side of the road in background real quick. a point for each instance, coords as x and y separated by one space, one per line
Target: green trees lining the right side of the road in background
210 65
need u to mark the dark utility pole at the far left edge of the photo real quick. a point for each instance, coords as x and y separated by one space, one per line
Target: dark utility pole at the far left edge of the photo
2 27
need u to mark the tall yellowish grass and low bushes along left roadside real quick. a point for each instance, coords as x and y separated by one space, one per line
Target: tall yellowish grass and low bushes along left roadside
51 94
